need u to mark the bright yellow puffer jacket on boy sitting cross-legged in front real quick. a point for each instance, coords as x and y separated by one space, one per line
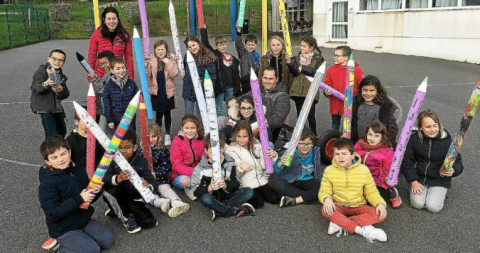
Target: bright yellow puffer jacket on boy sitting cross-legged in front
351 187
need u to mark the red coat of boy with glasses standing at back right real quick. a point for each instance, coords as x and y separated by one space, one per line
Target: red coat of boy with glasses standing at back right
335 78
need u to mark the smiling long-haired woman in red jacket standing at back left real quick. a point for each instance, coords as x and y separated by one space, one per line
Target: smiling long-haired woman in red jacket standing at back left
111 35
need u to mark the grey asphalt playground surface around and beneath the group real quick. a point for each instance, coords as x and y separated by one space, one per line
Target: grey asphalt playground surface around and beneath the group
295 229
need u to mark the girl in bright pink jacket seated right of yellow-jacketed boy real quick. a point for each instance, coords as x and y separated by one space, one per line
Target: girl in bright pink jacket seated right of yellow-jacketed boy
376 153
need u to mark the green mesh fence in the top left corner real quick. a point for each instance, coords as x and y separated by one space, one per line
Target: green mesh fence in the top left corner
23 24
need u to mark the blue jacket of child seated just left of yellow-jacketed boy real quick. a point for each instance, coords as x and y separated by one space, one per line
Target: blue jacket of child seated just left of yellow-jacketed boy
292 173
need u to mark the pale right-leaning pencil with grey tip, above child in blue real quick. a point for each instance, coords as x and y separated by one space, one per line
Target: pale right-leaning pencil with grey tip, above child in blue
302 118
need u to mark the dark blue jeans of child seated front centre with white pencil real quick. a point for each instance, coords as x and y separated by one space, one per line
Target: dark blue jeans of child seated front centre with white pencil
228 207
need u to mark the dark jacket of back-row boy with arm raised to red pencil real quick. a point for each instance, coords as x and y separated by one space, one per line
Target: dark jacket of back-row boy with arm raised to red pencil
222 78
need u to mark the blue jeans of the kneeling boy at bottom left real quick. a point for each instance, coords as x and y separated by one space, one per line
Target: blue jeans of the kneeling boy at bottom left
92 238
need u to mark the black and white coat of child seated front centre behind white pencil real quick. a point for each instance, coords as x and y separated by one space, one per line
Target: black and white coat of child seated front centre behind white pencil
203 174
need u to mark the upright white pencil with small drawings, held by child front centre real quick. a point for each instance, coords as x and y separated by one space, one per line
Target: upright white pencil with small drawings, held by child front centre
212 116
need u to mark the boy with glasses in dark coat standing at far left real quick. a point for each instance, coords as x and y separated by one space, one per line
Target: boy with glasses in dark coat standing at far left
49 88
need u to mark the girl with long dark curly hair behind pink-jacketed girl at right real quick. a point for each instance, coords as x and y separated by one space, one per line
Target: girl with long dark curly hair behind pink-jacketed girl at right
370 104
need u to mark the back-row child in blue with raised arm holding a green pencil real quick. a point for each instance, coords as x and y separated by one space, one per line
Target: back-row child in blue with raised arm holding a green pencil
249 58
